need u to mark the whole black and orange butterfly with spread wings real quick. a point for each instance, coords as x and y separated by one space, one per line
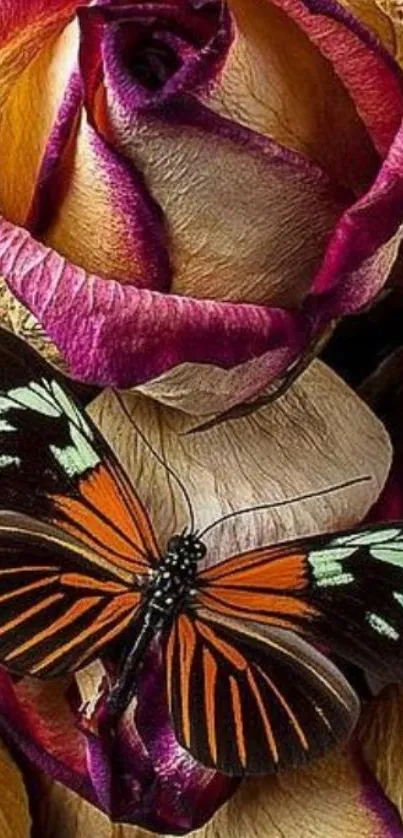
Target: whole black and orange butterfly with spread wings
245 643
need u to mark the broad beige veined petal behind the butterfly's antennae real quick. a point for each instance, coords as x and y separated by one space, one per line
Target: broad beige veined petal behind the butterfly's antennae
302 444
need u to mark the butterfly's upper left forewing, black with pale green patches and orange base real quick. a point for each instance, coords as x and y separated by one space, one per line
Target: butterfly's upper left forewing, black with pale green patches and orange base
56 467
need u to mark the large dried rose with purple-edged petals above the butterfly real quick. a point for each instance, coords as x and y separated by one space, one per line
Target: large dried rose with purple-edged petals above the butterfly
196 186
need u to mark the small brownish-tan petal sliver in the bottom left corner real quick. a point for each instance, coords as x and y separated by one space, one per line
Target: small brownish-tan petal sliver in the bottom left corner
15 821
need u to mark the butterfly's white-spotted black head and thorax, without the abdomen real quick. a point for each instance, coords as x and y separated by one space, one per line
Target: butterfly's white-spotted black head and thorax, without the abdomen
173 579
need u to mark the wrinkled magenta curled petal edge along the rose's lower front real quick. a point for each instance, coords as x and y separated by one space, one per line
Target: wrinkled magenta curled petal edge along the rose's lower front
111 333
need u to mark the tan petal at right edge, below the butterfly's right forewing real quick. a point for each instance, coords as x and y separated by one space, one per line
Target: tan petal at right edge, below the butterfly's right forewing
381 735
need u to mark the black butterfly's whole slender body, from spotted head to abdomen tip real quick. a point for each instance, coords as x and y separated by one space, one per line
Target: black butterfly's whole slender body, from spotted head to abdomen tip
165 591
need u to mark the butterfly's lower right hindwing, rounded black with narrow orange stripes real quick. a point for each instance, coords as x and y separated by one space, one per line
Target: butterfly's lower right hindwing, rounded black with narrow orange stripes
247 699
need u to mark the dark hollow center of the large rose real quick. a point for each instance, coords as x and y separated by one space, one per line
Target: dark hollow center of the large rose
152 63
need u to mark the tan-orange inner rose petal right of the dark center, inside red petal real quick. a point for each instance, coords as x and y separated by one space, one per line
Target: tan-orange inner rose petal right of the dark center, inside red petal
277 82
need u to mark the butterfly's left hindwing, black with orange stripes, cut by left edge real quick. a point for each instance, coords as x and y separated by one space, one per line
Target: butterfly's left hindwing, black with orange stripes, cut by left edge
60 604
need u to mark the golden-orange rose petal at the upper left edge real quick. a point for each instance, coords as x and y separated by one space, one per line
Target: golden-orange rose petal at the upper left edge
35 65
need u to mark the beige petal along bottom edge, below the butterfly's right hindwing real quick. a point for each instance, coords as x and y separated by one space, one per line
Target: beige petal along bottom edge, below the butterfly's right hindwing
336 797
